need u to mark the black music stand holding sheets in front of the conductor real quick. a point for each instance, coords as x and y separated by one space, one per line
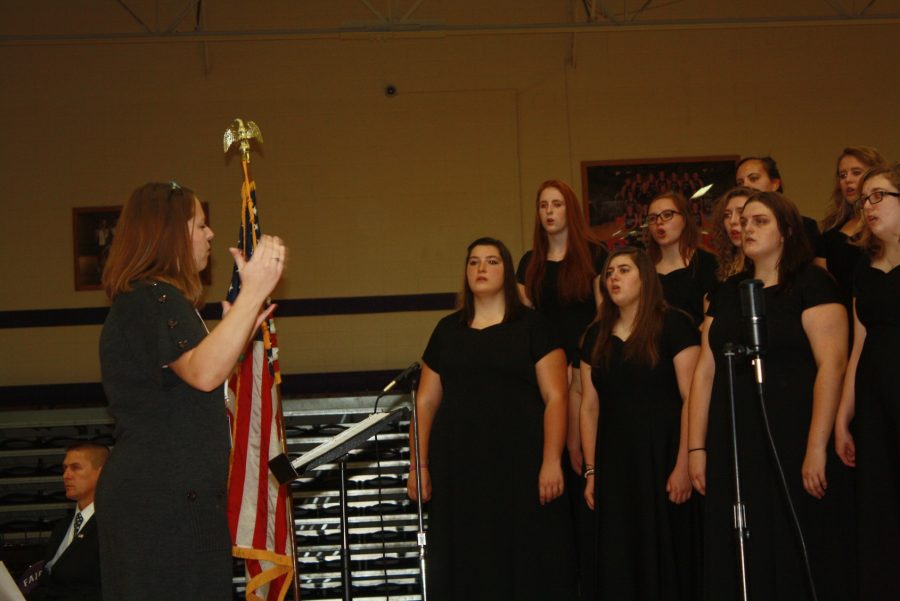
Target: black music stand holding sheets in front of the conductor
286 470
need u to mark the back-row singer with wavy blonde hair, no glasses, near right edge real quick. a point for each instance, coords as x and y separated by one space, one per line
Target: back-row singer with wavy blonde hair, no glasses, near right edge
834 251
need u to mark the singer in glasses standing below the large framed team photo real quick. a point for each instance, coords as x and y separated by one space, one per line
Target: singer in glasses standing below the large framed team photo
687 272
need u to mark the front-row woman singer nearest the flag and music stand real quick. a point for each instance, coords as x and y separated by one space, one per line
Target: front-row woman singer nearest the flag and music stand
492 427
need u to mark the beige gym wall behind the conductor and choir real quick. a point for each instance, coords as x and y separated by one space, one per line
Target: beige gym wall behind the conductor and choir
380 195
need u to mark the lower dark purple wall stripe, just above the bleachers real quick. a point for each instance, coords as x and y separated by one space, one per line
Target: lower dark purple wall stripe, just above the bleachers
90 394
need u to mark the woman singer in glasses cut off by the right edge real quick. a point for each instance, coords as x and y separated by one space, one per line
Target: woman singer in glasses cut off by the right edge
871 399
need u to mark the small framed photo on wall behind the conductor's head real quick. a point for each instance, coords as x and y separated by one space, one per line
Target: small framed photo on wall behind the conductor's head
93 230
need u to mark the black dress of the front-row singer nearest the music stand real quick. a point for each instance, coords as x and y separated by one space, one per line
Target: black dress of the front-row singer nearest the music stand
488 535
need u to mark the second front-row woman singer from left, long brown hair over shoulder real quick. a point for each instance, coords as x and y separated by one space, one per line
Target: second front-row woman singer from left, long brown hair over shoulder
637 366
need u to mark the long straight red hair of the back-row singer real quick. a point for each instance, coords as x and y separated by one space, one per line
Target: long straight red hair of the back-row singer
576 272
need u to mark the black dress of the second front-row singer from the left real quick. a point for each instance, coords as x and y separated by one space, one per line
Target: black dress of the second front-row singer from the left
644 539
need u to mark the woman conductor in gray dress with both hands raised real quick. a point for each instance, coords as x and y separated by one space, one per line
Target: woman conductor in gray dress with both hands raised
161 497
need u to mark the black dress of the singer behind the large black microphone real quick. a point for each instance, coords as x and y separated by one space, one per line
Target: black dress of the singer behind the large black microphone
775 566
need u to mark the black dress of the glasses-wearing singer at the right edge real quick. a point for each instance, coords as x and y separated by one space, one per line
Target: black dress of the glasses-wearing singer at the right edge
876 430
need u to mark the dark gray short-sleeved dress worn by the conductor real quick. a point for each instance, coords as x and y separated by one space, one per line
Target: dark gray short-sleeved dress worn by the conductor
161 502
